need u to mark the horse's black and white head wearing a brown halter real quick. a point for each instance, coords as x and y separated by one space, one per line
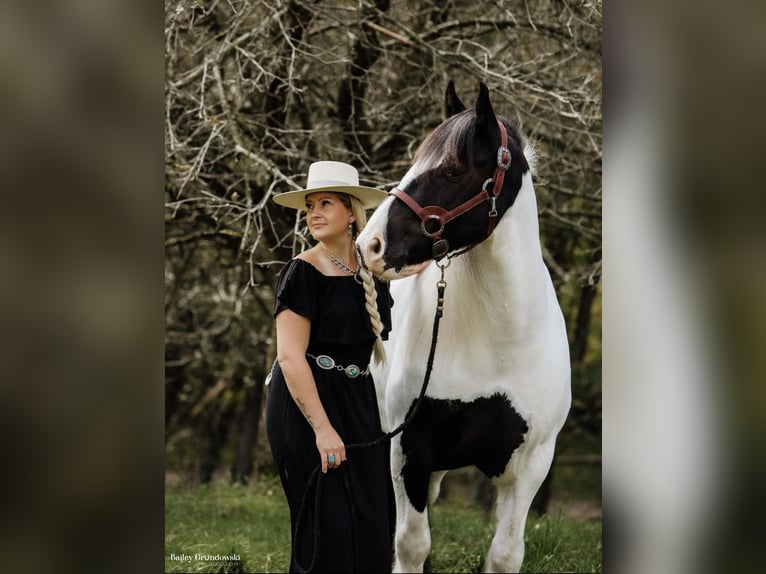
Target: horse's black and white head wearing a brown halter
465 176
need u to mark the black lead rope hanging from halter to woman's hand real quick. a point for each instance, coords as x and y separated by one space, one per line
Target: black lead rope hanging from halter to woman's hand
315 480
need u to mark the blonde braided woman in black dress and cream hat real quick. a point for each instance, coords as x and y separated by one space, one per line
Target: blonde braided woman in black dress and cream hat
331 315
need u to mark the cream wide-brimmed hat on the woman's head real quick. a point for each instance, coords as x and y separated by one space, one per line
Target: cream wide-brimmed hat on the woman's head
332 176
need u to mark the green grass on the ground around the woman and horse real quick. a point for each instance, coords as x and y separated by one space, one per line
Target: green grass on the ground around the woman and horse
253 523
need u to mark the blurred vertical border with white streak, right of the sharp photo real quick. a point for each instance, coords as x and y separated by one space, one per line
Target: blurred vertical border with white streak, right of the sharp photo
684 286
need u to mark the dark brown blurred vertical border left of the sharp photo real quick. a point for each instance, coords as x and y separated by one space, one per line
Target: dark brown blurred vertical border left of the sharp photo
81 256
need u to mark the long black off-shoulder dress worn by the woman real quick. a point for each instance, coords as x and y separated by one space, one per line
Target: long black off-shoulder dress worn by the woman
357 514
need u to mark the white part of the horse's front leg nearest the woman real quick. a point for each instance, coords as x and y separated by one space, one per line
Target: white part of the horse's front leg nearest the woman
412 541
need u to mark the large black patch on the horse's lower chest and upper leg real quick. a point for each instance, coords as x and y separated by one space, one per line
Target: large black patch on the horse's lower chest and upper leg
448 434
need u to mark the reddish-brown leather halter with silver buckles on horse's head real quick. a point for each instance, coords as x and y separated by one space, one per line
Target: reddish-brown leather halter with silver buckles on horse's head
441 216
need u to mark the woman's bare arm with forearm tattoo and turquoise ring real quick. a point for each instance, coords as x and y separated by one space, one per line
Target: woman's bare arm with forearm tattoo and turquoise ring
293 332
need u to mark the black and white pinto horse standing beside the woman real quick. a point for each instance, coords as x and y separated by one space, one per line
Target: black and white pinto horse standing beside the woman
500 387
